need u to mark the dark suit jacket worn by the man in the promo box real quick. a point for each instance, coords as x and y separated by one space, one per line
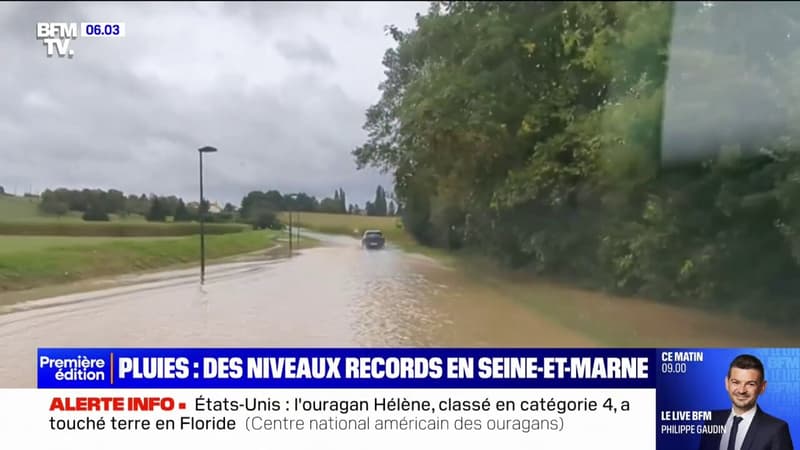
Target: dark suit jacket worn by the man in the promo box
765 433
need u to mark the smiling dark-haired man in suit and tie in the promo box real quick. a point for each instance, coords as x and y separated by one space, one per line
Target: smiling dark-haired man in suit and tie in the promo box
747 426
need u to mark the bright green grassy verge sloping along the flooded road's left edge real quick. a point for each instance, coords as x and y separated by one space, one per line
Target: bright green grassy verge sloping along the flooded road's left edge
48 264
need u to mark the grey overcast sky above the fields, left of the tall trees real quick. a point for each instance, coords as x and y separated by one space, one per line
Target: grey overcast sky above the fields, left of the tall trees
280 88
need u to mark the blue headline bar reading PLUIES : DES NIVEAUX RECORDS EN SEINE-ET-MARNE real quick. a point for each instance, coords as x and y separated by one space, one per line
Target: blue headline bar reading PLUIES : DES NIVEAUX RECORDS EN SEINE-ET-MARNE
126 368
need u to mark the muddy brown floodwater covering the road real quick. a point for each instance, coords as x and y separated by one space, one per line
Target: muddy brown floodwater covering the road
338 295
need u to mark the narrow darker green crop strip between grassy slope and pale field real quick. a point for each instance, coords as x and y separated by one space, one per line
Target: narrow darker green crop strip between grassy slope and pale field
115 229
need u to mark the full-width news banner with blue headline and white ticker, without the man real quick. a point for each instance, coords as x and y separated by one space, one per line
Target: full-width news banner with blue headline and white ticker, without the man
395 398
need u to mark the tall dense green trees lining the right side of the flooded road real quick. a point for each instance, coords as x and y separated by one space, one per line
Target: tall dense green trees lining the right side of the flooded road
540 132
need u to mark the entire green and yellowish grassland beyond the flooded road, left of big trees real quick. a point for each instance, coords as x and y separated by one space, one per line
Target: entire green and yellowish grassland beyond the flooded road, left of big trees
38 250
